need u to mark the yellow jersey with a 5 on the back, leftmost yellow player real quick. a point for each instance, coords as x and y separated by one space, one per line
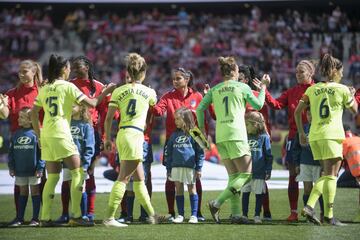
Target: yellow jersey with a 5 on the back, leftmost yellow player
57 100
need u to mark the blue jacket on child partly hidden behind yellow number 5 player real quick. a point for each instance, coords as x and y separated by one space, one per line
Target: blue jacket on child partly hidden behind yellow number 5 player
83 136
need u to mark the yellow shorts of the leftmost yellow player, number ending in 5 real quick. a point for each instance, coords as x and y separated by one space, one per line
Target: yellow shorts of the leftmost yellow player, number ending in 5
56 149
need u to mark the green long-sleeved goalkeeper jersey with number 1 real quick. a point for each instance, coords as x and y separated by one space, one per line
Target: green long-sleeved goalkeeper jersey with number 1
229 99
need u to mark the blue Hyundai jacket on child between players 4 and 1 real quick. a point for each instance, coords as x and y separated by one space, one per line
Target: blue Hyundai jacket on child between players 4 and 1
183 151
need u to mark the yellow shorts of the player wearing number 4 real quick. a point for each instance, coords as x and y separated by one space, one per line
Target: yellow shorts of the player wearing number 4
129 143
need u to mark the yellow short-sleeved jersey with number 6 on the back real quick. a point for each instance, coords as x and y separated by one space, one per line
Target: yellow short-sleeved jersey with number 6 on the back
327 102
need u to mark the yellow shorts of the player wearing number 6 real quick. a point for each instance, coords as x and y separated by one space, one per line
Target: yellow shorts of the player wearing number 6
326 149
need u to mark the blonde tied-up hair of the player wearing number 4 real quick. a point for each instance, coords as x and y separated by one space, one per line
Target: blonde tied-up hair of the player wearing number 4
135 66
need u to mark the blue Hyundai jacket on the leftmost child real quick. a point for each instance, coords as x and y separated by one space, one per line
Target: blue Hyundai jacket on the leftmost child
24 153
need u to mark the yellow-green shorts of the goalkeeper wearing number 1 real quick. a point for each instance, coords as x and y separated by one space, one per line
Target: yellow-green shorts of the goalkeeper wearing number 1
233 149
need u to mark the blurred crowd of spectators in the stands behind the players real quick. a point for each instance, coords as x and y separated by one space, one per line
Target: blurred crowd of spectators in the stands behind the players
272 43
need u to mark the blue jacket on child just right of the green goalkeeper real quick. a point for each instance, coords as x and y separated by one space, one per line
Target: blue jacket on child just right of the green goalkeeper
261 155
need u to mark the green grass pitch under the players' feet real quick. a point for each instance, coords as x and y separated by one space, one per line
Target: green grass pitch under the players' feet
346 207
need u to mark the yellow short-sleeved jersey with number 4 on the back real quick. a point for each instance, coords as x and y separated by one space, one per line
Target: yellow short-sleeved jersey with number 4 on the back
133 101
